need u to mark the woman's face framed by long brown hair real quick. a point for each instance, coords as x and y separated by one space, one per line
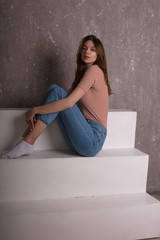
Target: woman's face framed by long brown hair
88 54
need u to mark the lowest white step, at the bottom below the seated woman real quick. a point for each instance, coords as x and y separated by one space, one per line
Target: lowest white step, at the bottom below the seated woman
117 217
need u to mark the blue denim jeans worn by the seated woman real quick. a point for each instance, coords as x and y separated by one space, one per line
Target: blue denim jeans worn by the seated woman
85 136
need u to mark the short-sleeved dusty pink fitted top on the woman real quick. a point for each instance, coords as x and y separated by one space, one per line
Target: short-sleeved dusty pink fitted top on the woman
94 103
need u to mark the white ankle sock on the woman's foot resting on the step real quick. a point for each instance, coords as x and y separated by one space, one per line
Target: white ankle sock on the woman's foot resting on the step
22 148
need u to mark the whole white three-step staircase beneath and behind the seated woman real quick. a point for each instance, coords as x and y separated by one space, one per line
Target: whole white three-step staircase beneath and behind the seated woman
57 195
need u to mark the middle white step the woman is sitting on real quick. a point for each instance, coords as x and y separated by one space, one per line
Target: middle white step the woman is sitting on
54 174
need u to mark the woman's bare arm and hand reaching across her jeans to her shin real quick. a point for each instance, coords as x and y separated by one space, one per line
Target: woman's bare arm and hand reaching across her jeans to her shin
56 106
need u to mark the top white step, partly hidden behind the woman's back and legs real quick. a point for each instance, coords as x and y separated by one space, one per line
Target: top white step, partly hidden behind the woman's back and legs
121 130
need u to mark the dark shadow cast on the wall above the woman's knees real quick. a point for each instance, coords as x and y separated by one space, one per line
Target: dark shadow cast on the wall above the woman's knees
48 71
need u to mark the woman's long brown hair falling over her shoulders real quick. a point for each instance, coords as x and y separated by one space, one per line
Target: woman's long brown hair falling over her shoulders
100 61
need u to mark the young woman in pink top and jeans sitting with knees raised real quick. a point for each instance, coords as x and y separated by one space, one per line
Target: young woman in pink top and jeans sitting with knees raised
82 114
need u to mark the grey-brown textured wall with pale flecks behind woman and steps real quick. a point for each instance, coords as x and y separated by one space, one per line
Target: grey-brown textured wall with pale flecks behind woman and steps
39 40
